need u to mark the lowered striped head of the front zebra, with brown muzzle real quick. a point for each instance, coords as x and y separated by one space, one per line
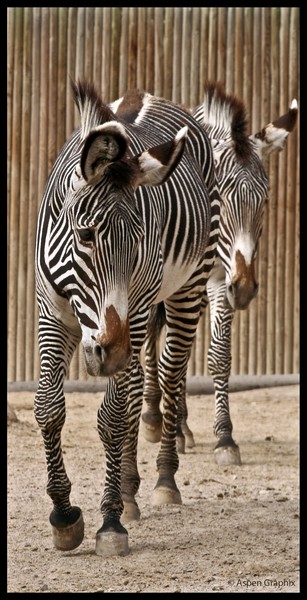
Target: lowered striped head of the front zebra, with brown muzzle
95 239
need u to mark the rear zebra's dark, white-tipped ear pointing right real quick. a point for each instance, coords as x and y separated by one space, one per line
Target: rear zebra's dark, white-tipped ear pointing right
274 135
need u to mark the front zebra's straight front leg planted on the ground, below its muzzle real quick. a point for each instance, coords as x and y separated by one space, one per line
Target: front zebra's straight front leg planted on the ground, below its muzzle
112 537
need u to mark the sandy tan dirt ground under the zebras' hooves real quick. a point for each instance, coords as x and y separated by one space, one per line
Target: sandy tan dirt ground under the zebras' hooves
236 531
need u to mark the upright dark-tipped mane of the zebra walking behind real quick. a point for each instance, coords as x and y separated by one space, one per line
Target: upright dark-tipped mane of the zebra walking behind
226 115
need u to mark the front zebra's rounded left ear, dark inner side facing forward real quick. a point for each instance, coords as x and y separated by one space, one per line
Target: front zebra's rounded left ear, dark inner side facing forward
104 144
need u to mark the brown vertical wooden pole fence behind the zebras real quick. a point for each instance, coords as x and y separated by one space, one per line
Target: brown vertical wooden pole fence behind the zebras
169 52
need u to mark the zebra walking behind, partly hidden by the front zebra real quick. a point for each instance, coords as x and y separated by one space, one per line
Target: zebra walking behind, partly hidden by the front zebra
243 186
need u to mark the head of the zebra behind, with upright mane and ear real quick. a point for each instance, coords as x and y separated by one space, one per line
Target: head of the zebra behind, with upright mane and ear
243 184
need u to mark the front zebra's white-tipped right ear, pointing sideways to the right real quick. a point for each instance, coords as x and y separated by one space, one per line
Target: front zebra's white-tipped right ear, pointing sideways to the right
155 165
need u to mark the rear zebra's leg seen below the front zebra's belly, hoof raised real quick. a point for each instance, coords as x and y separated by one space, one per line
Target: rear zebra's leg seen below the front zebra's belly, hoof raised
152 417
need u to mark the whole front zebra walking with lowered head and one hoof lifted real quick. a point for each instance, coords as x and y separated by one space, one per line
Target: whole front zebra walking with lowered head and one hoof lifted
126 221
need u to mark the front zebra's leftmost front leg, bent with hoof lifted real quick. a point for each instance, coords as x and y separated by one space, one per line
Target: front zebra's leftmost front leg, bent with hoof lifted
49 409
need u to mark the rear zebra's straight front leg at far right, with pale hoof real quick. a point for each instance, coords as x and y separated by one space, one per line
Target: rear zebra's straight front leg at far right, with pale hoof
226 451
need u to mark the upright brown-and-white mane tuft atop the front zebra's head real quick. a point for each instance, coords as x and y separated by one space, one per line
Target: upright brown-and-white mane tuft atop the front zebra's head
93 111
